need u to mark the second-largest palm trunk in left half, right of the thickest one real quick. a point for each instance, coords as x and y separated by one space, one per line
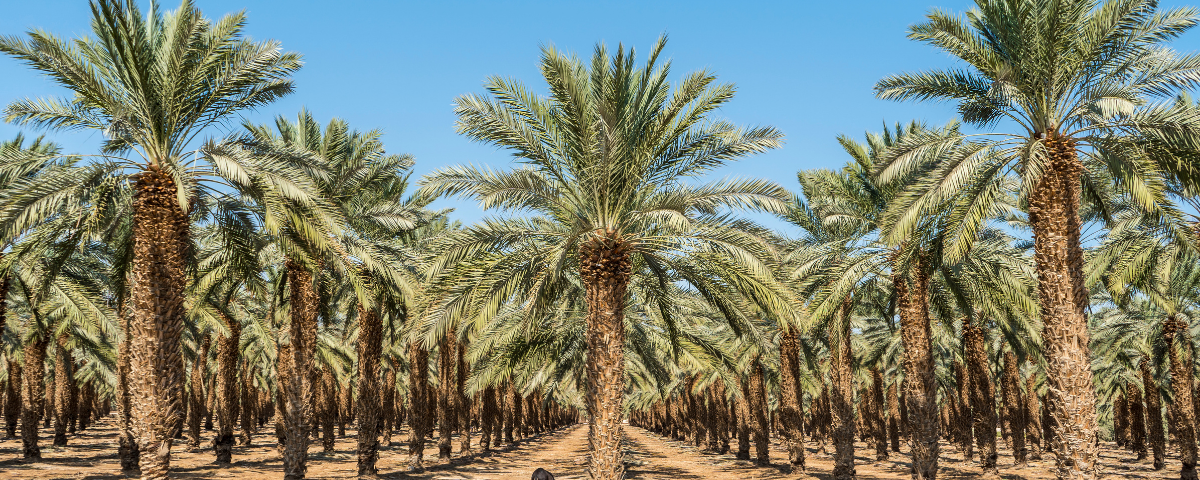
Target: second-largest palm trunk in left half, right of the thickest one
298 394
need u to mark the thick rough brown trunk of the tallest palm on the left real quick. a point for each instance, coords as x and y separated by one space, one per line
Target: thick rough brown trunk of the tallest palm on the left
161 247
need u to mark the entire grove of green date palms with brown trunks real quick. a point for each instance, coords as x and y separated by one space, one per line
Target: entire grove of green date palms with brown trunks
1025 275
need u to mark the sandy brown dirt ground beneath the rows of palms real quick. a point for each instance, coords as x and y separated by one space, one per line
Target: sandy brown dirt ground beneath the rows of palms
93 455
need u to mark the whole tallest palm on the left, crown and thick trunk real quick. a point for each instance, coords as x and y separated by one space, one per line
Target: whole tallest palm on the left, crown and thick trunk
152 83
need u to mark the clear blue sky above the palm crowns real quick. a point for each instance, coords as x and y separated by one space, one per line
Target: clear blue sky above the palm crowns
807 68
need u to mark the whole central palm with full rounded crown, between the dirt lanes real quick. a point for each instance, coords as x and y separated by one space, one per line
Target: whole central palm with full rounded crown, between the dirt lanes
608 158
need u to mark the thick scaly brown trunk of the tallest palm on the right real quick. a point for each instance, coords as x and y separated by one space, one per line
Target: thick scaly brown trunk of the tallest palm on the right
1054 215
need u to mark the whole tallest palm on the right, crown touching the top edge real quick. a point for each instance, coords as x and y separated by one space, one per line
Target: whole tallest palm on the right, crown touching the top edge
1058 71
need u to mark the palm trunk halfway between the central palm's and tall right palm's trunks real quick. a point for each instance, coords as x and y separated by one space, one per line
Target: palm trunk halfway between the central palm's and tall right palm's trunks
842 397
